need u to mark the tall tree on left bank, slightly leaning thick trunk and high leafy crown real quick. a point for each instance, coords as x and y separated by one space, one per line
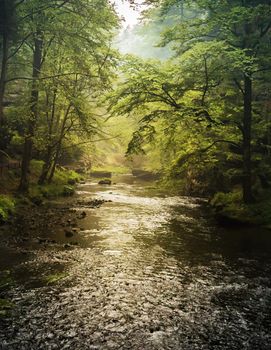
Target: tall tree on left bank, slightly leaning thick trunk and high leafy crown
86 42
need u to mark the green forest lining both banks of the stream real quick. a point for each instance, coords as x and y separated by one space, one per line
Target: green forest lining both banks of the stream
199 107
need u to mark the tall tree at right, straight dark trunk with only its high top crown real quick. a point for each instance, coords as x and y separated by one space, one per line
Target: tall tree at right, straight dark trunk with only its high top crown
245 26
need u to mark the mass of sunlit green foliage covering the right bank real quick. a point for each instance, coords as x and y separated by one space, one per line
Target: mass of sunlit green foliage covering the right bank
195 107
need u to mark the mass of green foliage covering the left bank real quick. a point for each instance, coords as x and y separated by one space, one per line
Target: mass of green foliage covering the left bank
54 77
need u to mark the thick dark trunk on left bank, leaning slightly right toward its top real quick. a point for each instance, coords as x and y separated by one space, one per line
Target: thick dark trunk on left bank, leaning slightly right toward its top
28 144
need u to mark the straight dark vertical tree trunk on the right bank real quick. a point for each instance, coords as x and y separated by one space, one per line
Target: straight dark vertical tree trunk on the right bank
247 120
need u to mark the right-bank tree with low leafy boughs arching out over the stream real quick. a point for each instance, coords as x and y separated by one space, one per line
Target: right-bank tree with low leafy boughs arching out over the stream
228 46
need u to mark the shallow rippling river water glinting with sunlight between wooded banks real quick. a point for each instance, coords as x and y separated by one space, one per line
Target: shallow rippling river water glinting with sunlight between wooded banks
142 271
